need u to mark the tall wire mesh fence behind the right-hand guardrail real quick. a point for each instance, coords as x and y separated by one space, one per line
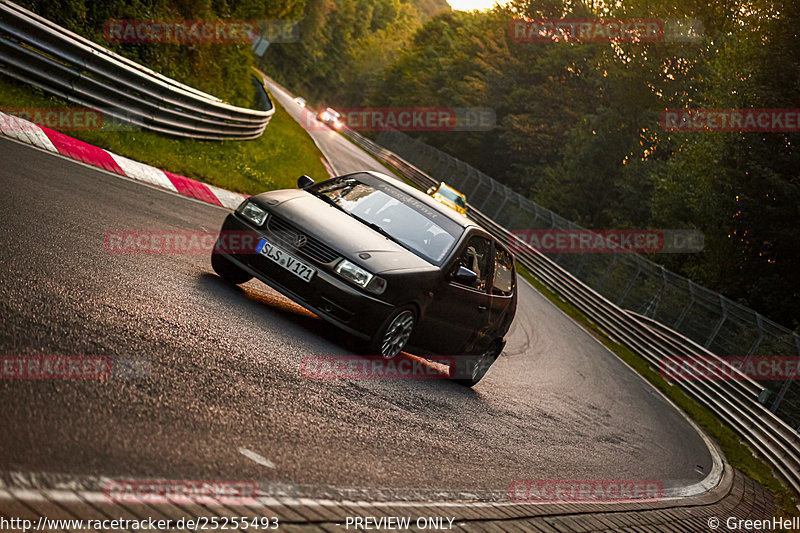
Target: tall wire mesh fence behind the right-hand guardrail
629 280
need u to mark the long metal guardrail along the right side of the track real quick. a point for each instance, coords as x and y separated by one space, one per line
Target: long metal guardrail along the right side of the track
736 402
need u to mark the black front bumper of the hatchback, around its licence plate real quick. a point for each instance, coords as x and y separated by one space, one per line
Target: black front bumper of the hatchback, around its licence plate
326 295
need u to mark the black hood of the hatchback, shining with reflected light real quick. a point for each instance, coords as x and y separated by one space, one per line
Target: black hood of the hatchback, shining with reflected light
341 232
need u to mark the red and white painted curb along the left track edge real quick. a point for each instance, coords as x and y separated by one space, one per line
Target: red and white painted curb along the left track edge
53 141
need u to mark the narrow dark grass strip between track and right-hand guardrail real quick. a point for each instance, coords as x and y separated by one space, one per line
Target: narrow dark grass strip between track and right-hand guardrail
737 453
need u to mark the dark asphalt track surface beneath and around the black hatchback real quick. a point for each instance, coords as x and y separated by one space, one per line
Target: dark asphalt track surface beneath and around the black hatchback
213 369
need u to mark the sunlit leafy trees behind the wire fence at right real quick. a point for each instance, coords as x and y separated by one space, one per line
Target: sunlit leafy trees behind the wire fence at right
578 123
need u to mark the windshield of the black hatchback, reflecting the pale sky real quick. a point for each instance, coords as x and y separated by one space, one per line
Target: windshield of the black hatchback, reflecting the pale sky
408 221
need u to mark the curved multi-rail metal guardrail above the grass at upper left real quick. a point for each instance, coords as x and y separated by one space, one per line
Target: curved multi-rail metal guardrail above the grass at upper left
38 52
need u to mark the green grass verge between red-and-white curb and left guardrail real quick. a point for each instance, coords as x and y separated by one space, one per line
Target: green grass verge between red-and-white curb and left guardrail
273 161
